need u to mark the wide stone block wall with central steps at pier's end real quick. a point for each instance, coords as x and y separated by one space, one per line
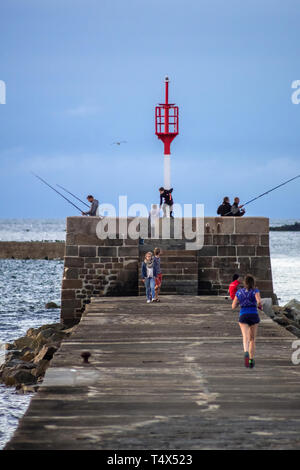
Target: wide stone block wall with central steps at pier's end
111 266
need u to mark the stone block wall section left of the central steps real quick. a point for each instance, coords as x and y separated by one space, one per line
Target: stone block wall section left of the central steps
95 267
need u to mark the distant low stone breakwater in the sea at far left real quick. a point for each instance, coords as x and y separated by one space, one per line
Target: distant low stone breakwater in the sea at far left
32 250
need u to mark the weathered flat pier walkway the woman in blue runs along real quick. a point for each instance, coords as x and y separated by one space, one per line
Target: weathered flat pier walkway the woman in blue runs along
165 376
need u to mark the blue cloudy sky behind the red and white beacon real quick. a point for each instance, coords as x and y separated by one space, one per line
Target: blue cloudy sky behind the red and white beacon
82 74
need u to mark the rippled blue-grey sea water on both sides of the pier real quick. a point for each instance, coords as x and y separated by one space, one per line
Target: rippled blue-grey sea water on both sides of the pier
27 285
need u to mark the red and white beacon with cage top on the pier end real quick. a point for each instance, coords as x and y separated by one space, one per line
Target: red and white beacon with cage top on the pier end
166 129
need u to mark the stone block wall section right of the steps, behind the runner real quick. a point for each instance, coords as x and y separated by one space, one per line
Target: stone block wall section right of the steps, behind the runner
234 245
